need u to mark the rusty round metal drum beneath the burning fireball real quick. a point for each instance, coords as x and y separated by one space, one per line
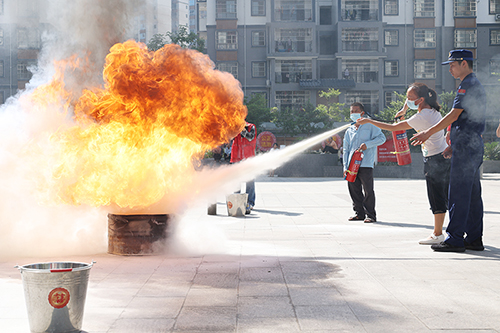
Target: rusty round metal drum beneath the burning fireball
136 234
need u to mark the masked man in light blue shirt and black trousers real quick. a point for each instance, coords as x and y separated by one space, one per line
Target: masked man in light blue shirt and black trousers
365 138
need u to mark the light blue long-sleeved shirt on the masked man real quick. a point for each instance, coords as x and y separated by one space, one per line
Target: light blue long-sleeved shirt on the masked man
368 134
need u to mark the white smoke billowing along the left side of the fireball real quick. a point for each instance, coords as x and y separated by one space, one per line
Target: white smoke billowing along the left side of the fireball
86 28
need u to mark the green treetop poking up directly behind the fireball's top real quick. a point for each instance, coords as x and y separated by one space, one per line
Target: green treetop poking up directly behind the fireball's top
182 37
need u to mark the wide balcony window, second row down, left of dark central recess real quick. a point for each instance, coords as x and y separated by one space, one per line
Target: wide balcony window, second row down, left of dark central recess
293 40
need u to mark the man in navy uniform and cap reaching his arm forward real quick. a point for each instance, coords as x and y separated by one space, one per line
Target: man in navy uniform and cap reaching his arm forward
467 119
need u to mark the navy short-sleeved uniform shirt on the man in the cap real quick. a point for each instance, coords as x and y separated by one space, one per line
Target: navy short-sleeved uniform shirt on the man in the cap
470 97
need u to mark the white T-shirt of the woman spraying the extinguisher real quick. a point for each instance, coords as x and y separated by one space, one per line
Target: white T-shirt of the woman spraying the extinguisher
423 120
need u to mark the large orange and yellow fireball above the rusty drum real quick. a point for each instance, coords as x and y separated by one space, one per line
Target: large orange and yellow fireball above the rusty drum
134 138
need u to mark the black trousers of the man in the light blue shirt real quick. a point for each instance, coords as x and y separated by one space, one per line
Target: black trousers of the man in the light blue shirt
362 194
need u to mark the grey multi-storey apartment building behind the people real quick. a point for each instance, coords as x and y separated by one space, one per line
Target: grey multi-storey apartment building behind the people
290 50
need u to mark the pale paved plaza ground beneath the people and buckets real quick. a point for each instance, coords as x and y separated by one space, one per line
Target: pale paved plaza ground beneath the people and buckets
295 264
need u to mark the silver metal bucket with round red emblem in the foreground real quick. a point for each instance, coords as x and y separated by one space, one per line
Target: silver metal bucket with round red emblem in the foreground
55 295
